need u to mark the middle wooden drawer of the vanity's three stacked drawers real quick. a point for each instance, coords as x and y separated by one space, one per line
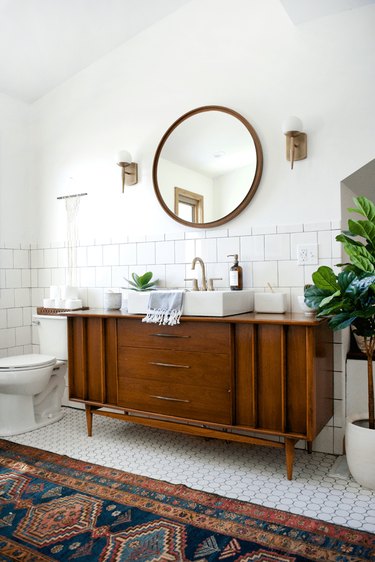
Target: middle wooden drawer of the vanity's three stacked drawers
184 367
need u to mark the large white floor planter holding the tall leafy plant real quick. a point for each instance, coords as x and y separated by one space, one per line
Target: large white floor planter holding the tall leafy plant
360 450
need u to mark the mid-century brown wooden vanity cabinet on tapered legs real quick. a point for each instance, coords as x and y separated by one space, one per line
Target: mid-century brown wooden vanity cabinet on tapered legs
264 379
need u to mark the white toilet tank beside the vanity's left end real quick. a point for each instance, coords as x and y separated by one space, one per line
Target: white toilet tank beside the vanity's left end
52 333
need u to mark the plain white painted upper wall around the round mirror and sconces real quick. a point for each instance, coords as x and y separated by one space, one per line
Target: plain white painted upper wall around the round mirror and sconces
247 56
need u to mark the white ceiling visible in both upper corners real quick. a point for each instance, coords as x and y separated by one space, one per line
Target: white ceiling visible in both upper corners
45 42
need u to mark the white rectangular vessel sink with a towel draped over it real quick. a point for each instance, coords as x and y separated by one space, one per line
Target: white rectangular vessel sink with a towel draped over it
200 303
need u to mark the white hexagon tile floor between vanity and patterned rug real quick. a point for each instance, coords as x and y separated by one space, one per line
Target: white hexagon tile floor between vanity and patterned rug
249 473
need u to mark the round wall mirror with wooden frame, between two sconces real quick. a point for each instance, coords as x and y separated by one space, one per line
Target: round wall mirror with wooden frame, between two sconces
207 166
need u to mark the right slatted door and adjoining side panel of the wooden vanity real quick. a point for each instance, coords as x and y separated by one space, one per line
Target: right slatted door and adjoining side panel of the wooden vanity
284 377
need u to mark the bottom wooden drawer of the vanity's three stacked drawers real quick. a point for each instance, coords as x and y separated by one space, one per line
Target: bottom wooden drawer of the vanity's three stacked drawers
179 400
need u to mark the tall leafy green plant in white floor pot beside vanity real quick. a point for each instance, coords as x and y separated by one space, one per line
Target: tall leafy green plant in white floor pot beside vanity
348 299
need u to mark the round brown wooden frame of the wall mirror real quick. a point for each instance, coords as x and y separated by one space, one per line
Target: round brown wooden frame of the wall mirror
252 189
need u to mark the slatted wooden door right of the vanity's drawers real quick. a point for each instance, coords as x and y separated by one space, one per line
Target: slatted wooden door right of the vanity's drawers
274 366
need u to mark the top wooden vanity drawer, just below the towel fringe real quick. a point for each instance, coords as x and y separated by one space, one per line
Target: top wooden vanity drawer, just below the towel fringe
190 336
